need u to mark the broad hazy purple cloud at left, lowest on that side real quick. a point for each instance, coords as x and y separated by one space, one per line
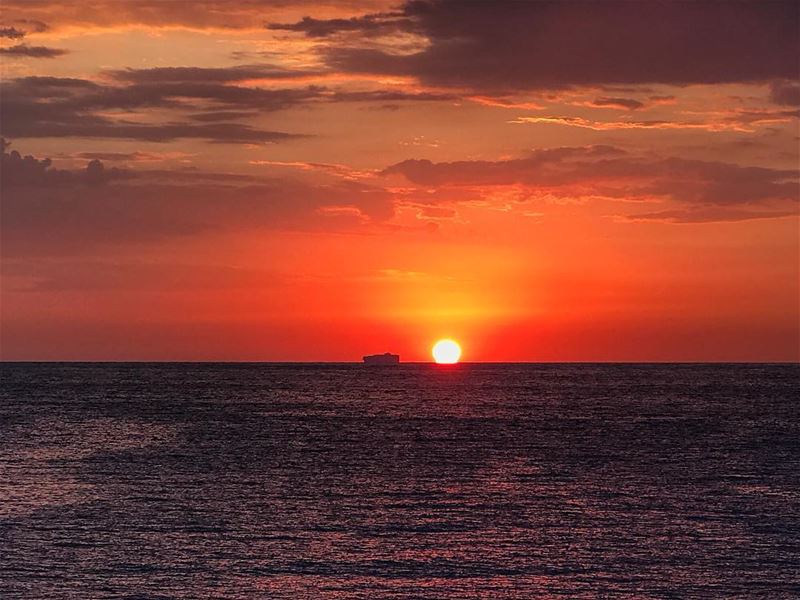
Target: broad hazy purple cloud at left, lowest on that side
56 212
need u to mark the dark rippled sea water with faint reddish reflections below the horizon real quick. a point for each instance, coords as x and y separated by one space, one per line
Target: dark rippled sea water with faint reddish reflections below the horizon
342 481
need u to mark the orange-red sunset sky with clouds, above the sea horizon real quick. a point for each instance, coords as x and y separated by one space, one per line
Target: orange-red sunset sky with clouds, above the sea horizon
301 181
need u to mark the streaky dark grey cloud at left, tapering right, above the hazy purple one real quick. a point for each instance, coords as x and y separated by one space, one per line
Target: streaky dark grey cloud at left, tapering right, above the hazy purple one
67 107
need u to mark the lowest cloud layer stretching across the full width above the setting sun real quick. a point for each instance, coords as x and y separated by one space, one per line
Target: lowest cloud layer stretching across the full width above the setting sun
50 211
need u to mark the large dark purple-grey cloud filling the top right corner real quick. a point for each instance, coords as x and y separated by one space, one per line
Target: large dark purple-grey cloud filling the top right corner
539 45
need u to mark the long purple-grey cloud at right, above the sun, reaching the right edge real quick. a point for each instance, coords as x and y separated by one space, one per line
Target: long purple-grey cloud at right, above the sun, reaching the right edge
597 171
